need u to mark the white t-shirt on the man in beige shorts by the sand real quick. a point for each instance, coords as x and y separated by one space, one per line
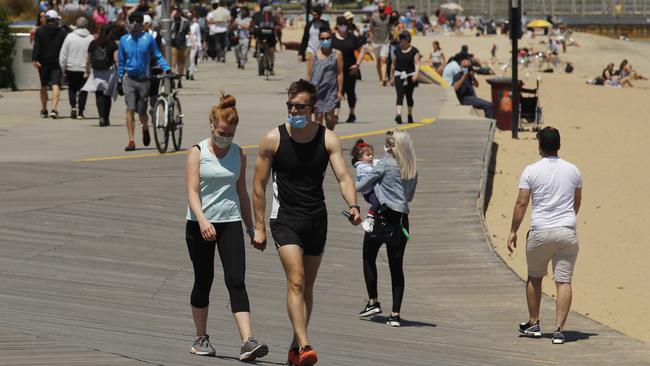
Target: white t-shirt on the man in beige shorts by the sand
552 182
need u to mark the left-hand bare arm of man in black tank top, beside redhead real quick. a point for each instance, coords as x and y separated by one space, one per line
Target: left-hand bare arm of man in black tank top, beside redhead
263 165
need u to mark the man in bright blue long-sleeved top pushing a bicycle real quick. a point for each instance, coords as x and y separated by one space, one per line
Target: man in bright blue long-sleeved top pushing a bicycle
136 50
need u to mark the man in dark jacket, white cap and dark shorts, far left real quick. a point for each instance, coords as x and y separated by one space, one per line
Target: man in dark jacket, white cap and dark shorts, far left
48 41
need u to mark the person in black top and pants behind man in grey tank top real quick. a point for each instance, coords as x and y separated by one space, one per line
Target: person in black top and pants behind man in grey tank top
346 42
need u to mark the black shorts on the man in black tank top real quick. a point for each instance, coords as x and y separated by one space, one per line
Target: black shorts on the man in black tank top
310 235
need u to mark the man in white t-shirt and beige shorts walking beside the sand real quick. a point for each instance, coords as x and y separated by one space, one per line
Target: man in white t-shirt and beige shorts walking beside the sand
556 189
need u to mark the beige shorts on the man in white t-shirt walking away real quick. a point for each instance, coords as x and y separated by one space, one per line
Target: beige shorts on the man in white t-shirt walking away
559 244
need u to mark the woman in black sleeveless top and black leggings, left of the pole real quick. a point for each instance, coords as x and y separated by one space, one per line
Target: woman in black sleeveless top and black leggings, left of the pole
404 74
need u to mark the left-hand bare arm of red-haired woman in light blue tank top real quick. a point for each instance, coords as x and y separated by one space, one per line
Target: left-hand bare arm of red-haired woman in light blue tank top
192 180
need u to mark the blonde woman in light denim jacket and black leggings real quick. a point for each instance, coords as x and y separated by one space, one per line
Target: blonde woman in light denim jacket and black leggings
394 179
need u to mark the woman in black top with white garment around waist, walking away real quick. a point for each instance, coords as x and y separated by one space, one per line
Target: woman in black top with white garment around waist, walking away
102 58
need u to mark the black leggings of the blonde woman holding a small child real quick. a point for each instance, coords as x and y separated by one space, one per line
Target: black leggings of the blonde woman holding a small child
395 247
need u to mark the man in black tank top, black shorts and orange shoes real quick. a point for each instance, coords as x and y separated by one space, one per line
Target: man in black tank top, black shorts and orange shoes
296 155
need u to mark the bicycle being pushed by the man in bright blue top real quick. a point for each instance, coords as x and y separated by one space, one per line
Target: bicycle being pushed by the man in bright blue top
167 115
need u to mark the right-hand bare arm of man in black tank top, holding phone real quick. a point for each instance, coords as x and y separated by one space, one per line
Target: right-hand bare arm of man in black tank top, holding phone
342 174
